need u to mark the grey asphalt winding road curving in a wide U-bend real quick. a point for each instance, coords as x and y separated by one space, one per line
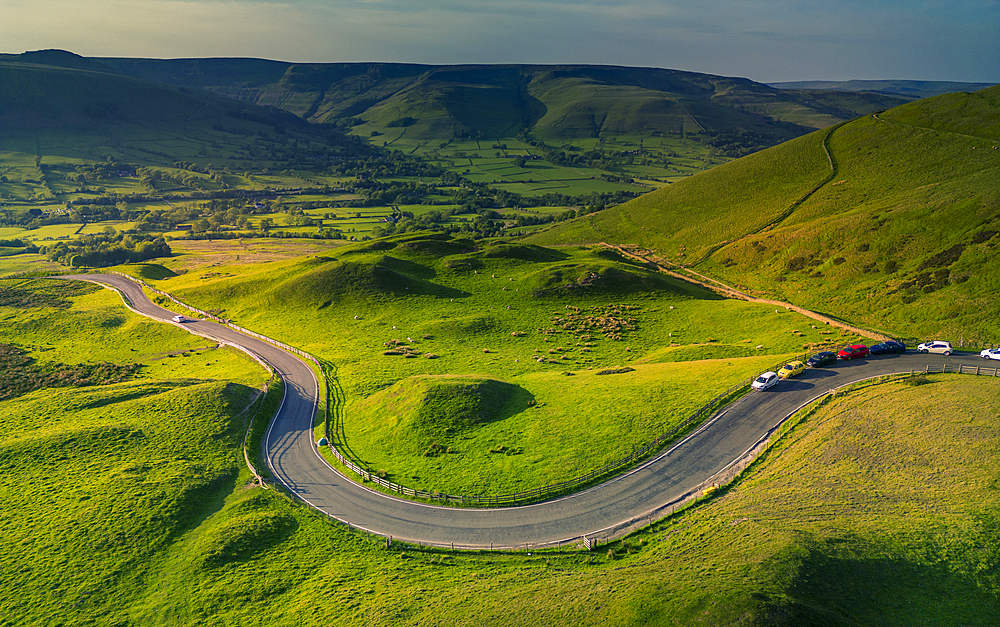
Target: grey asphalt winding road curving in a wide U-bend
640 493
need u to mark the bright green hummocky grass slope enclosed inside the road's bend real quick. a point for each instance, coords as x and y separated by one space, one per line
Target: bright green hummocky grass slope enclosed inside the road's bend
463 303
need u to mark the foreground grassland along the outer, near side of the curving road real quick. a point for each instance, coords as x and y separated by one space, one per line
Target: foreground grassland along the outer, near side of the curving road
126 504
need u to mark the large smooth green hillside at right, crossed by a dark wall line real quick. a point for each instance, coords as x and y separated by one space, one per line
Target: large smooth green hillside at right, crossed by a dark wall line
890 219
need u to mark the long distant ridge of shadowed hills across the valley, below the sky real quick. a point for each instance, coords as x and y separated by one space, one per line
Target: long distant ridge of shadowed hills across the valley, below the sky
502 101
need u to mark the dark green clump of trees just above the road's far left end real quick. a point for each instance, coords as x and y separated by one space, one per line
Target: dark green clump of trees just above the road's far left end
110 248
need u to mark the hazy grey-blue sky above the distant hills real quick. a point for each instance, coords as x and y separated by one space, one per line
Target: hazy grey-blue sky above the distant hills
764 40
